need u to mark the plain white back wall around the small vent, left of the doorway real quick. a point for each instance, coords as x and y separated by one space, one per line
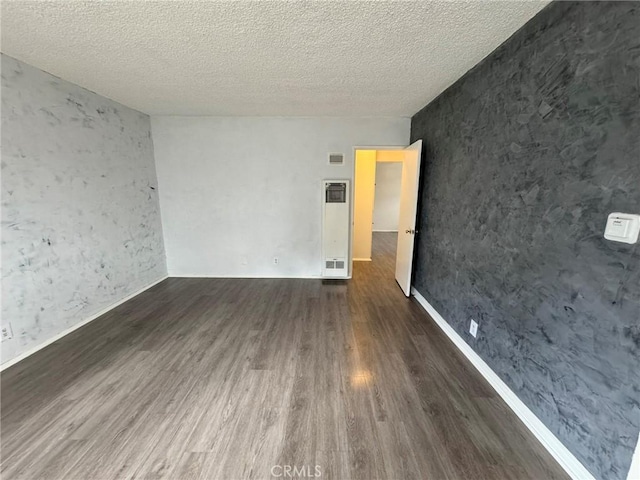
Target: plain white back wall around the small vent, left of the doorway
236 192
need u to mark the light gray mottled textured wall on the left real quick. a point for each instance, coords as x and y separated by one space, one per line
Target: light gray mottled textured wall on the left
80 216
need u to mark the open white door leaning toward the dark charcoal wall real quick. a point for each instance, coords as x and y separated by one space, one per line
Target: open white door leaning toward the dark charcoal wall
408 210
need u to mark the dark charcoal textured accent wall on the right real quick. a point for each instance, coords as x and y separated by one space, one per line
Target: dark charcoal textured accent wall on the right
525 157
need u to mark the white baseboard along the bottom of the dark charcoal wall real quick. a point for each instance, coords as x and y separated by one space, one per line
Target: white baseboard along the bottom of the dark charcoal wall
554 446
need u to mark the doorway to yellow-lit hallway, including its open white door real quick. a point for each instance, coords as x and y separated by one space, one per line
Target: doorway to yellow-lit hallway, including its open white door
384 208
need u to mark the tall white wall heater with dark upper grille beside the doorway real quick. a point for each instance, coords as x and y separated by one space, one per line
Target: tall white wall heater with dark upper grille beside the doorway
335 228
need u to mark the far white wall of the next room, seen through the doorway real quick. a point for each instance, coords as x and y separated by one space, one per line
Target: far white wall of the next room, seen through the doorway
386 208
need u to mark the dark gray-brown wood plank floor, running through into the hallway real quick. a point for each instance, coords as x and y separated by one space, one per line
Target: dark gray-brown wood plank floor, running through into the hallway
208 378
